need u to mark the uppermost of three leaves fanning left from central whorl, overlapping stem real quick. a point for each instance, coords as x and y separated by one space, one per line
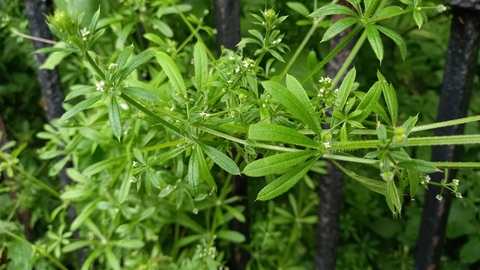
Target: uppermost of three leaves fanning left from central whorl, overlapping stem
276 133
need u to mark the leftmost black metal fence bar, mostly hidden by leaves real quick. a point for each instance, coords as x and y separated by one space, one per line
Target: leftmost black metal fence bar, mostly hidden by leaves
50 86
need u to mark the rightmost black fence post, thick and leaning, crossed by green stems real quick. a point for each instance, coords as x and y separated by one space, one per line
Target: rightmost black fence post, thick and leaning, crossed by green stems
456 91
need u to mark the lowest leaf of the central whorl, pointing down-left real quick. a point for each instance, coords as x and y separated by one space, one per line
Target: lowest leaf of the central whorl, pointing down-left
285 182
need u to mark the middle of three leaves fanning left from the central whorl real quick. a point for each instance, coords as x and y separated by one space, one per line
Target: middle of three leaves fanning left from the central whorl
276 163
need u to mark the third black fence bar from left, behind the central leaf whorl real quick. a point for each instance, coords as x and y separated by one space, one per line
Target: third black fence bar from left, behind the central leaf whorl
331 184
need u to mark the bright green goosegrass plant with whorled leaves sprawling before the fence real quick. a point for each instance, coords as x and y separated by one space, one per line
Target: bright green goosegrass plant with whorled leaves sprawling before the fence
152 159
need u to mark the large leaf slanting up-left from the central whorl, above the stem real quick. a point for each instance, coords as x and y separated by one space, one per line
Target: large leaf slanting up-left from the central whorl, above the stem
293 105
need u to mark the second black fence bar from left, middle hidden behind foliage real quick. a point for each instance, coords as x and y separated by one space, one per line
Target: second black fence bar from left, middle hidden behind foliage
227 23
